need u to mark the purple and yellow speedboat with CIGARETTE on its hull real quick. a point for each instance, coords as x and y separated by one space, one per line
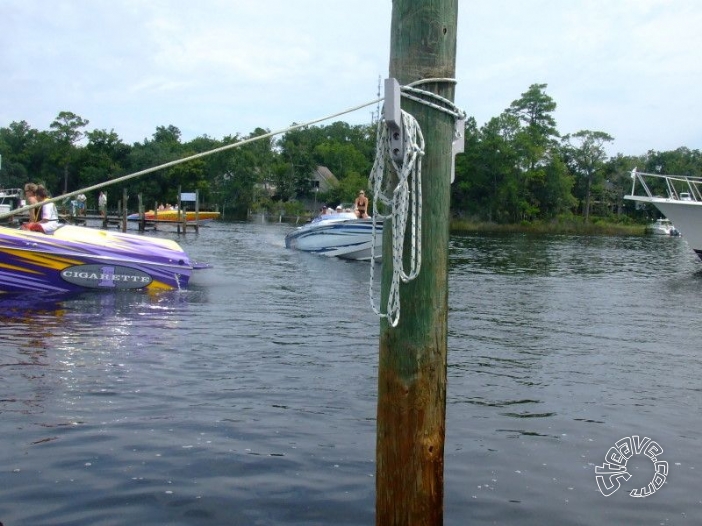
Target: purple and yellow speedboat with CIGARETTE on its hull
77 258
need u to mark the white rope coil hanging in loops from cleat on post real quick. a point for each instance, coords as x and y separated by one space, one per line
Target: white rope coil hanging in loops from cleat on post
405 202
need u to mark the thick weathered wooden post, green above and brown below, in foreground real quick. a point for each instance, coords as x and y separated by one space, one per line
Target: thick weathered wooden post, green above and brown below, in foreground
412 363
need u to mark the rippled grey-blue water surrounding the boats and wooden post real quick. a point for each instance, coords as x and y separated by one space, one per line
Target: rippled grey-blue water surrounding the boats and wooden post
250 399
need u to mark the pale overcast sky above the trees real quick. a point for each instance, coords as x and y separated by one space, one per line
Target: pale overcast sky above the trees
630 68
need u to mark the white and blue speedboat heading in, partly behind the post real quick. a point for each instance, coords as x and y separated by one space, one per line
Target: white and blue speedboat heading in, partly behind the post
342 235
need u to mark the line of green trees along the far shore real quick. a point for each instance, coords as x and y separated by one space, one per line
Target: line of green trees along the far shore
516 168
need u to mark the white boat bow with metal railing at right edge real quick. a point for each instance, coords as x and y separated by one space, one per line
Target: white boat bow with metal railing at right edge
677 197
